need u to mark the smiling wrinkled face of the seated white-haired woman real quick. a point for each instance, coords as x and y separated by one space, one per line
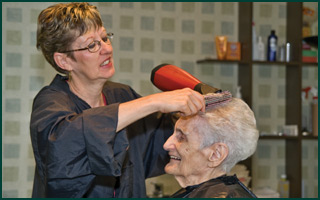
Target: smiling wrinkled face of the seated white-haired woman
187 160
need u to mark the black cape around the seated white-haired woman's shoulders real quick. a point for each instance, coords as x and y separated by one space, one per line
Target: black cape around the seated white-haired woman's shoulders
220 187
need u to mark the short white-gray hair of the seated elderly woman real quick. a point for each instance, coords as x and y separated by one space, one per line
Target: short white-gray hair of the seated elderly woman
233 124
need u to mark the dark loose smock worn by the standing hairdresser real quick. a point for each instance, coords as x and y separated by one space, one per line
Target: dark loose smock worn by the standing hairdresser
78 152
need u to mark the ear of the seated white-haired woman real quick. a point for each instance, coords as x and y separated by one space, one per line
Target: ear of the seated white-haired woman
218 153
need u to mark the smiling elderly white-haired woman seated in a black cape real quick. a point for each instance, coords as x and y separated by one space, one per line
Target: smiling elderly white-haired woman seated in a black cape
205 146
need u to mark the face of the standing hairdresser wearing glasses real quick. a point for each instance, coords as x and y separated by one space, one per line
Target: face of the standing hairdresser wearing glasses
93 66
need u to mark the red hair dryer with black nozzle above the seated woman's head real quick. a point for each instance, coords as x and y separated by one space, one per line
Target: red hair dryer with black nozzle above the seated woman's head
168 77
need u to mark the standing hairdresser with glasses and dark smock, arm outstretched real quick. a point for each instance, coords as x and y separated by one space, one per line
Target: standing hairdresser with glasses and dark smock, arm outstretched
92 137
